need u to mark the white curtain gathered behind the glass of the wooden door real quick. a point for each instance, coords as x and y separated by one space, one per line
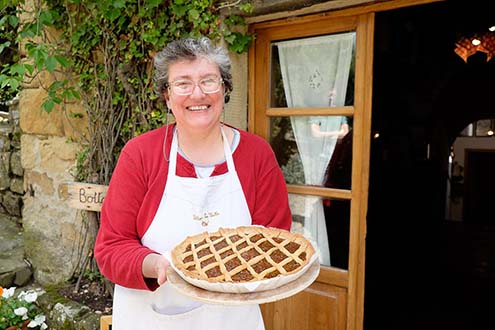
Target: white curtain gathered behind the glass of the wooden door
315 73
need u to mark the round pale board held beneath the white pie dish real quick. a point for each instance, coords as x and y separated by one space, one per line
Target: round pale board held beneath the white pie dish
291 288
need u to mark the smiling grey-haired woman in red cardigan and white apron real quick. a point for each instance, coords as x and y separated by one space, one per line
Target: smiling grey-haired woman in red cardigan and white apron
166 179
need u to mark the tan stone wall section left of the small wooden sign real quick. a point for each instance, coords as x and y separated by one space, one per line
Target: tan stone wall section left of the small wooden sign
53 232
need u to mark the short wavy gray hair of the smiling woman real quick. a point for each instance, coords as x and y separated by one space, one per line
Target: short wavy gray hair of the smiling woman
190 49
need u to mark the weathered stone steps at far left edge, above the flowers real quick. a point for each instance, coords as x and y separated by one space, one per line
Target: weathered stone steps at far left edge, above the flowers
15 270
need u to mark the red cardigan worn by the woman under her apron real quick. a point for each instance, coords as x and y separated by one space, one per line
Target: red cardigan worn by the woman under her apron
136 189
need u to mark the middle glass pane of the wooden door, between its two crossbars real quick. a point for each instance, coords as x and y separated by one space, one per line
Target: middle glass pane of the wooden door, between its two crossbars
314 150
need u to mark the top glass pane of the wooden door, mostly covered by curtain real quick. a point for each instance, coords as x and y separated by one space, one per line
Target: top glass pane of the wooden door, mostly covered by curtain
313 72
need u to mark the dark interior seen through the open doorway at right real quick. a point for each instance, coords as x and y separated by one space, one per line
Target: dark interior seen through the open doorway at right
424 271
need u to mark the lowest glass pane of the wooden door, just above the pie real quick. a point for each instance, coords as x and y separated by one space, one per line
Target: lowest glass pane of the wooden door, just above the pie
325 222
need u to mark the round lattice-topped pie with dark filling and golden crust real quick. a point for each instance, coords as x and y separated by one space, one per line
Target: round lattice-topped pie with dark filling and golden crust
242 254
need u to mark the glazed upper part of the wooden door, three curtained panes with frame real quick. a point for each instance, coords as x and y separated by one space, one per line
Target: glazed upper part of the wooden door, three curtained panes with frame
308 99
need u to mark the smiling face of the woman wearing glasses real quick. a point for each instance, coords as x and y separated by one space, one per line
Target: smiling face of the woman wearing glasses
198 110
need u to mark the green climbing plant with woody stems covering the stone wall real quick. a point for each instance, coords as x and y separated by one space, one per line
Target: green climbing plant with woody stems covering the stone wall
99 53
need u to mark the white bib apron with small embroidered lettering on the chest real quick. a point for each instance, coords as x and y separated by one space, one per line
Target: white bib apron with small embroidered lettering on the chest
188 206
